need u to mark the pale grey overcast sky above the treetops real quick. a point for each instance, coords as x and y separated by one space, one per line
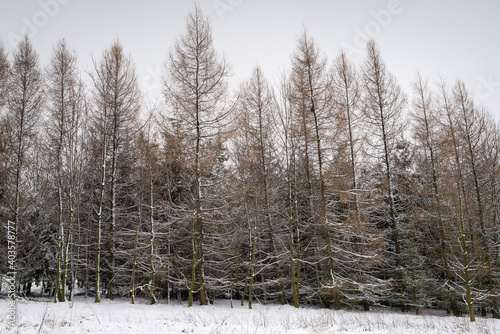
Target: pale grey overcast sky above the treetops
455 38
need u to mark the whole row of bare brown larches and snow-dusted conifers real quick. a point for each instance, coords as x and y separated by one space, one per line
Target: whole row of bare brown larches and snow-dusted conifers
331 187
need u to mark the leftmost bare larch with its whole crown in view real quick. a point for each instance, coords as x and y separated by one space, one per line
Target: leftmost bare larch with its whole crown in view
25 102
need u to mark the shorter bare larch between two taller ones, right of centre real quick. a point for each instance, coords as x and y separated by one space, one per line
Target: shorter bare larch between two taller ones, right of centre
356 238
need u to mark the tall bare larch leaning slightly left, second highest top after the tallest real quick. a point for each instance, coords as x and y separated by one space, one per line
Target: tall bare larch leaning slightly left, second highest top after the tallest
312 102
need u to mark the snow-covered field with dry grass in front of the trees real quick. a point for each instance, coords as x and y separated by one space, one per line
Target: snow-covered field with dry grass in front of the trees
119 316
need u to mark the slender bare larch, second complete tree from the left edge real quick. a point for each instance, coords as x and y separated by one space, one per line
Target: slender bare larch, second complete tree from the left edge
65 106
